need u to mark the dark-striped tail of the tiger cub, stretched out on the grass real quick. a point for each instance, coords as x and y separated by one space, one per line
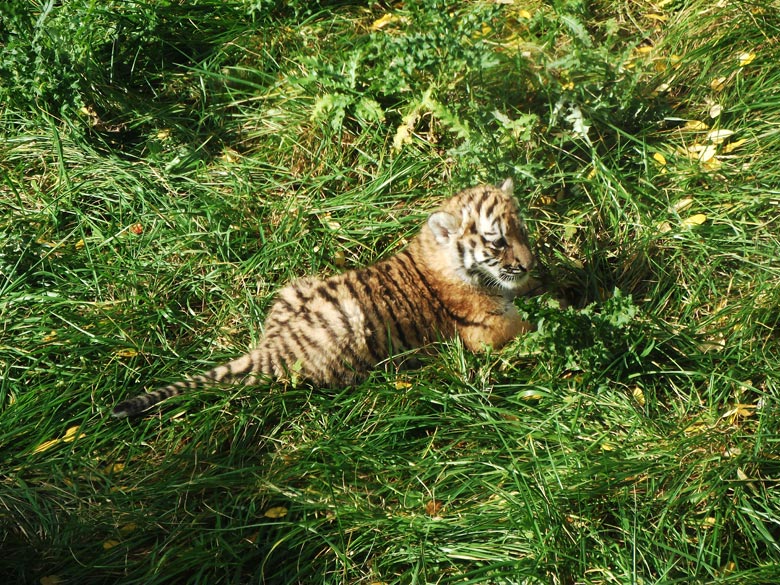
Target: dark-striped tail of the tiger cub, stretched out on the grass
246 368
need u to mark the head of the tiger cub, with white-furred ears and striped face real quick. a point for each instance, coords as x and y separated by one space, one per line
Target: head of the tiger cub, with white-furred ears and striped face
484 237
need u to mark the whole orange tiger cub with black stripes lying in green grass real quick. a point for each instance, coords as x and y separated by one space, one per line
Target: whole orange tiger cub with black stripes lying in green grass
458 276
